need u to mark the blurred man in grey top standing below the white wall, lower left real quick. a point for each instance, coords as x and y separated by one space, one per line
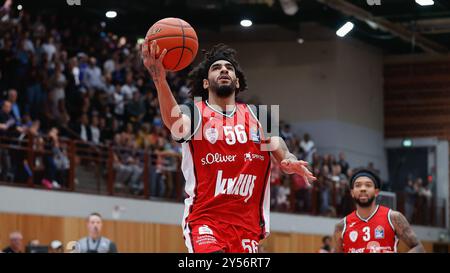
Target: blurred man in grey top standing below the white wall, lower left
95 242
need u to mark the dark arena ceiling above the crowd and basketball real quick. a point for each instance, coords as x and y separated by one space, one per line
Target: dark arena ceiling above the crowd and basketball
396 26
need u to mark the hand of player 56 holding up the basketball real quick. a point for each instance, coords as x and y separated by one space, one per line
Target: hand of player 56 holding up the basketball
153 64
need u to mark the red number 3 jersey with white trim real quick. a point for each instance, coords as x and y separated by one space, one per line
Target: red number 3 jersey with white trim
372 235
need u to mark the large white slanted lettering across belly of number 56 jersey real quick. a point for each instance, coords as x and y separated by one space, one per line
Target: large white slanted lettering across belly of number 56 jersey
242 185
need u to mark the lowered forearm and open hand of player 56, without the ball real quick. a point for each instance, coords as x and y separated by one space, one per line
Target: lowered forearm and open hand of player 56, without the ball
289 163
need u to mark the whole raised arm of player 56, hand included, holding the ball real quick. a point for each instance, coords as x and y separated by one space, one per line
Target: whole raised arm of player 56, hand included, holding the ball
170 110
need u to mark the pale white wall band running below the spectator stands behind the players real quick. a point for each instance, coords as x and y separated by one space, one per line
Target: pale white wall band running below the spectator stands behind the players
52 203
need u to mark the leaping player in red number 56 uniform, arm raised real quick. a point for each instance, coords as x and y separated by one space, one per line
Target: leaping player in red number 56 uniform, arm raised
227 171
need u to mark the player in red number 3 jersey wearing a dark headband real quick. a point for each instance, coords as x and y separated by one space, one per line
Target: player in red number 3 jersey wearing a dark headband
372 228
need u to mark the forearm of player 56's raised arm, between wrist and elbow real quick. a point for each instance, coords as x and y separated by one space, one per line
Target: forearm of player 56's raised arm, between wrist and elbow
170 110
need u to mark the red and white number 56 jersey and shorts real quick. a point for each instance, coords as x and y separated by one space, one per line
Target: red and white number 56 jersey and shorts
227 182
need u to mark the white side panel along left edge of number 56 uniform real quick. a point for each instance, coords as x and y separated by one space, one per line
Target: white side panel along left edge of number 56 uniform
187 166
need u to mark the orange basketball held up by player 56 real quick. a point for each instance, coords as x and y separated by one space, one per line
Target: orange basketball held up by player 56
180 40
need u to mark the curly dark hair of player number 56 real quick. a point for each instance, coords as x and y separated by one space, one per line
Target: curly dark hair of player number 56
200 72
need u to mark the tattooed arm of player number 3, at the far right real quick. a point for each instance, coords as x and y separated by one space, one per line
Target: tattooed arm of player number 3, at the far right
405 233
